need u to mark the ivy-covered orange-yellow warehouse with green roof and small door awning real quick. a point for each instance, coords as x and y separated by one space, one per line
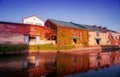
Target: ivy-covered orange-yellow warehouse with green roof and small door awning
68 33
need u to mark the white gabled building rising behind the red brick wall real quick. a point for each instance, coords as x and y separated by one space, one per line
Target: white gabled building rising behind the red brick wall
33 20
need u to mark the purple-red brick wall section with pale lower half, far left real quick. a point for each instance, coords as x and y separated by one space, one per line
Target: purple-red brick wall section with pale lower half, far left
12 33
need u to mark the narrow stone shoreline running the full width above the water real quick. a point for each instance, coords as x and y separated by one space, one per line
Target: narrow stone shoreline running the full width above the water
74 50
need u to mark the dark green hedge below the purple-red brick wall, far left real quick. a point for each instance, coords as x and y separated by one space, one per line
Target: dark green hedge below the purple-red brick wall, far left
9 47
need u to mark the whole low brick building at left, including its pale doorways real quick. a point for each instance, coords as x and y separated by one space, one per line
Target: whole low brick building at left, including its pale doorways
17 33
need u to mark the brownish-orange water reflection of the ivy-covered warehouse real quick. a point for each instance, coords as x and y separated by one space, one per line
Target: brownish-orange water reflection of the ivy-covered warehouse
72 64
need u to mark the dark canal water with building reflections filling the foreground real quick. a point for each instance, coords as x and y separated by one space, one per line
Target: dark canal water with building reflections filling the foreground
88 64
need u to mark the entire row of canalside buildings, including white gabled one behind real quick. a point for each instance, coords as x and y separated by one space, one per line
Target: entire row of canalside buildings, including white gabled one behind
33 31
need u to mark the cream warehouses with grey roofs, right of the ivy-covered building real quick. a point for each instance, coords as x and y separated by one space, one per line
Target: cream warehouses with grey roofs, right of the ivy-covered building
99 35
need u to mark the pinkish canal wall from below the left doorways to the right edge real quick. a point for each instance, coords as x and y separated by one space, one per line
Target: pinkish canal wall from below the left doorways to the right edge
82 49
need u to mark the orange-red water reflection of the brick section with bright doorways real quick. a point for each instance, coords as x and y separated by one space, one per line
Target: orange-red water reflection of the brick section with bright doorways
40 65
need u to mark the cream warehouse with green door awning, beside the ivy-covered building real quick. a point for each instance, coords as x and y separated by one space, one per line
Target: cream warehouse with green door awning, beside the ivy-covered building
97 36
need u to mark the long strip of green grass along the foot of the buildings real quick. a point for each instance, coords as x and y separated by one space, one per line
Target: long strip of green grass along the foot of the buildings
21 47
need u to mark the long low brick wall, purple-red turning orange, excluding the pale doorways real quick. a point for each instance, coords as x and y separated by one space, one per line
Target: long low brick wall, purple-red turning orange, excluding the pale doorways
14 33
